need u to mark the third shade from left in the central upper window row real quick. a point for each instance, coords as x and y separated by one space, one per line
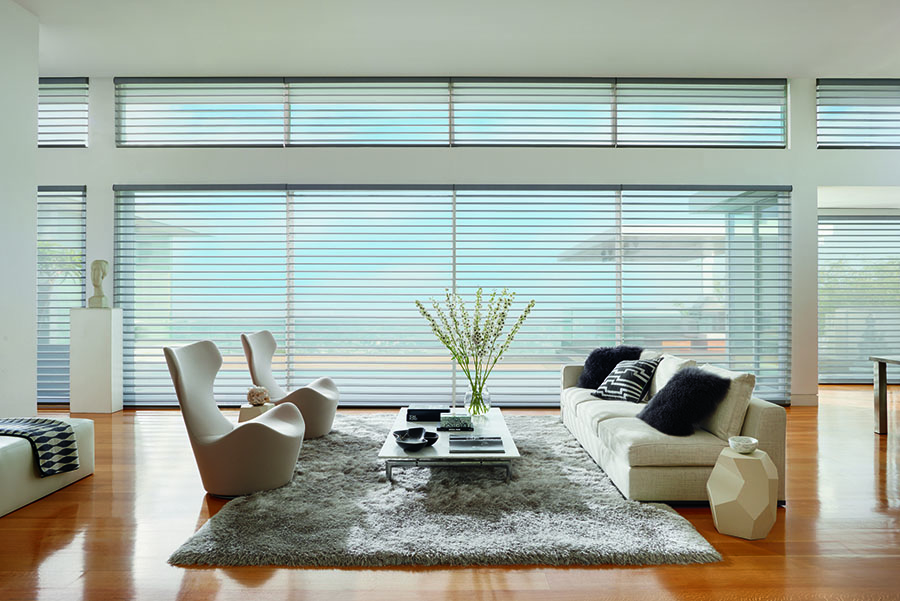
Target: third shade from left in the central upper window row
531 113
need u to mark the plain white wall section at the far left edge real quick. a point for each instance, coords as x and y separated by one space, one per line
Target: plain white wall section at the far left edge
18 191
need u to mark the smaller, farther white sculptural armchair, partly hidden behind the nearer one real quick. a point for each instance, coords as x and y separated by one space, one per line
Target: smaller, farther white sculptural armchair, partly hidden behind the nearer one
317 401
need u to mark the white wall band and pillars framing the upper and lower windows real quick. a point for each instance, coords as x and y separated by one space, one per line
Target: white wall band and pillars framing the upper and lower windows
801 165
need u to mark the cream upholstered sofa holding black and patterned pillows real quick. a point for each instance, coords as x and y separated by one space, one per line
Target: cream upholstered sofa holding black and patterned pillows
644 463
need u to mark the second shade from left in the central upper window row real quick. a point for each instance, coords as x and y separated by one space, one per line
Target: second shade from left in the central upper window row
369 113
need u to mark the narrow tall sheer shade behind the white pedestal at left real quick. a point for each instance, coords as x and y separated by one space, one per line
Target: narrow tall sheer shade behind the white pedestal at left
60 284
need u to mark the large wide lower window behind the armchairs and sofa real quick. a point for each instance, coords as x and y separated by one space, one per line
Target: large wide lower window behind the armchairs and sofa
334 272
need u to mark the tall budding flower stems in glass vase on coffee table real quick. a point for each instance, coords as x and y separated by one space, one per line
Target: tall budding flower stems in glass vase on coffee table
474 339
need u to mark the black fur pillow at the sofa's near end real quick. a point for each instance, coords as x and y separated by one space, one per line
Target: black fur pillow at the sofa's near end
688 398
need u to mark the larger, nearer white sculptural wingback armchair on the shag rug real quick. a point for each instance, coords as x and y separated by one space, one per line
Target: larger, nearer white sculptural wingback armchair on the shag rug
259 454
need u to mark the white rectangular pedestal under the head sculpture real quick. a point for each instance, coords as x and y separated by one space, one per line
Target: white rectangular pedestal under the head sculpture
95 360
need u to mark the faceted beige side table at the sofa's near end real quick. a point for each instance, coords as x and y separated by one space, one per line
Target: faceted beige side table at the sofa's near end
743 494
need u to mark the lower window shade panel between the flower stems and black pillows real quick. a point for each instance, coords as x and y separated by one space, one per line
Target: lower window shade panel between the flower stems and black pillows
530 241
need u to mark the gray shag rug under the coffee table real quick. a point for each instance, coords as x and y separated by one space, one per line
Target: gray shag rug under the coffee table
559 508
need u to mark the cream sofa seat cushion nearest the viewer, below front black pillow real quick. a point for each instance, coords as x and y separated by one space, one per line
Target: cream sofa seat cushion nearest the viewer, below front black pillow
643 445
